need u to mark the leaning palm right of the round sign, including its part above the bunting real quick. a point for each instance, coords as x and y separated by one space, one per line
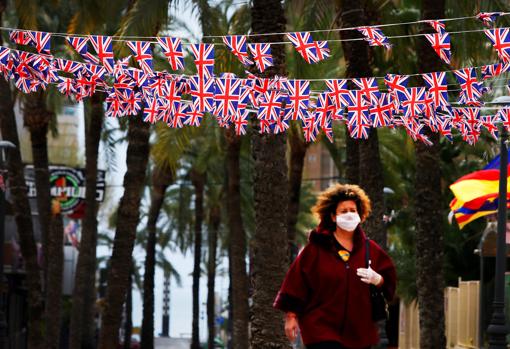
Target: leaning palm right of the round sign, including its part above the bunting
143 18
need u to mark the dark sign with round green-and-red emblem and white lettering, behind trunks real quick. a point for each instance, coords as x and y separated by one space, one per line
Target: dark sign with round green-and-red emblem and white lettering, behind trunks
67 185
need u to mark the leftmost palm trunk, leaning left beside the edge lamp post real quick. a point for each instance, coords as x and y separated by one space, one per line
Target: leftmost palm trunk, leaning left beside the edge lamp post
22 215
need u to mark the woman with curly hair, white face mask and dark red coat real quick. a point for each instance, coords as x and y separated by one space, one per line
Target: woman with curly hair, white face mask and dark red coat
326 290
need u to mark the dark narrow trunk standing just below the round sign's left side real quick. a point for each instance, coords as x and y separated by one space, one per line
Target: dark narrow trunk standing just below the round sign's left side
55 266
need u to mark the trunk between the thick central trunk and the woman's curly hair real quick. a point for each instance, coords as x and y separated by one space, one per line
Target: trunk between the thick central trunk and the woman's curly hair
298 148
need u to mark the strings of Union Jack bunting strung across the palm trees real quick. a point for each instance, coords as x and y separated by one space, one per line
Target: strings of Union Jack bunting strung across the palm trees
161 96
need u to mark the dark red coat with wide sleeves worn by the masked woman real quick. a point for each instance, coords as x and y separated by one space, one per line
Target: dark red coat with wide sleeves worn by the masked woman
330 300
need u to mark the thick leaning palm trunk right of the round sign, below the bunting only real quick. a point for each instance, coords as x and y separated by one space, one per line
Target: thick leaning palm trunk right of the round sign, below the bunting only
127 221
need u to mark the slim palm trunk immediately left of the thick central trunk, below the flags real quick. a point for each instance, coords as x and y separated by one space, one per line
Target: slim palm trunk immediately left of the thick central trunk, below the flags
237 248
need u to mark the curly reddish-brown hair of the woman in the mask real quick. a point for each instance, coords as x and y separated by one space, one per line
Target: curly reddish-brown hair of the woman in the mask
329 199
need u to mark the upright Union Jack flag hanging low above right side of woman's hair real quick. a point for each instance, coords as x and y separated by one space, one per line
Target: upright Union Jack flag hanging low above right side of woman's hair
358 118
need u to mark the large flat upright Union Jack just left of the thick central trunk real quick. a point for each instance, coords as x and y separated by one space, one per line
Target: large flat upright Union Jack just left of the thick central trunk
227 98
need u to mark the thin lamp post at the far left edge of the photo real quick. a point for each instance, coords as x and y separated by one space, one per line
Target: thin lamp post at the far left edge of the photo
4 147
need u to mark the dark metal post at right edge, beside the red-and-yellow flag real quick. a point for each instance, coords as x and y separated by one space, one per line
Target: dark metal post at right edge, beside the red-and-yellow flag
497 328
